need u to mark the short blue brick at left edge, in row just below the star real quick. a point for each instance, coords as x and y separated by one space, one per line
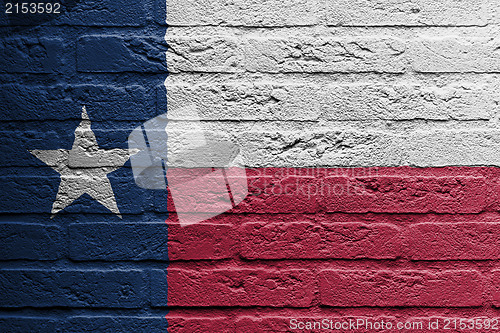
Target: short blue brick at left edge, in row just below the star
31 241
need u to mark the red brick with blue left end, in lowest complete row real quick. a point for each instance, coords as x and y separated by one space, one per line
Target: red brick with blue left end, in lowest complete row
236 287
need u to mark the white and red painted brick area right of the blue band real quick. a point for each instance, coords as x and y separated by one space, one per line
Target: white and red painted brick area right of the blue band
381 86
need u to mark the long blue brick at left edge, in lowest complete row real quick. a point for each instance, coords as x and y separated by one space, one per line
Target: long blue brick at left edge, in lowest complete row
73 288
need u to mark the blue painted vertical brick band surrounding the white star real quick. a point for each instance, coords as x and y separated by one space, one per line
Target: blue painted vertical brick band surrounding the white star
84 270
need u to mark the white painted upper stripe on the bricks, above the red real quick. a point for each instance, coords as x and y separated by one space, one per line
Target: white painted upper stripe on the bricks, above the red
356 83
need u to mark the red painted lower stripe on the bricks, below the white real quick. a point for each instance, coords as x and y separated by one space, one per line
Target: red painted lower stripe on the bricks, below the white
399 237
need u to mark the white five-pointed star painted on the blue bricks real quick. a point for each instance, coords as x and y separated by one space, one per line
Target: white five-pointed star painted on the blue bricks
84 168
